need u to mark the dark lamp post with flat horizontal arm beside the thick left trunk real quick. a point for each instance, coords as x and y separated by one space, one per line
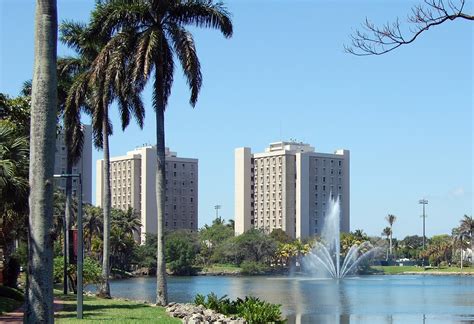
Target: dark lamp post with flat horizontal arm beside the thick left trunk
80 248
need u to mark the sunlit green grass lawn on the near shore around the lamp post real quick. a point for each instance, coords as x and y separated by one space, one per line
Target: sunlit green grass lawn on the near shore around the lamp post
97 310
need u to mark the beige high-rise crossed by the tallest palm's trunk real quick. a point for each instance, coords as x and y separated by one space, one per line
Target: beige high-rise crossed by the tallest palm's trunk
133 185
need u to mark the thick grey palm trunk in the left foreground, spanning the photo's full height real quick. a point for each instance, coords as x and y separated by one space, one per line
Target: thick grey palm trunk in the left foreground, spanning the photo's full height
39 296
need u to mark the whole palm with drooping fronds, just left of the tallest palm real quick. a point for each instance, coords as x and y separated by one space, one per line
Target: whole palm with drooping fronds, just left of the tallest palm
99 79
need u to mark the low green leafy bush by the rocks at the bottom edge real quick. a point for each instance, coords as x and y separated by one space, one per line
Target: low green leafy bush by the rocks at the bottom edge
252 309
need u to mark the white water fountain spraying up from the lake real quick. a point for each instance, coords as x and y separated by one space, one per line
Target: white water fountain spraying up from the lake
326 255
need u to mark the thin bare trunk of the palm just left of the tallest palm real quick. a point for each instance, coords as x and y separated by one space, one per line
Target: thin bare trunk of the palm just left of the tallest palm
105 287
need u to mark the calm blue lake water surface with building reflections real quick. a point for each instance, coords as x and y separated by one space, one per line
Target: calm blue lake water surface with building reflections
366 299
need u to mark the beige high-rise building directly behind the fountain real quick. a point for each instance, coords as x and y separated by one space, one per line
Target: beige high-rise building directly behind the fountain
288 187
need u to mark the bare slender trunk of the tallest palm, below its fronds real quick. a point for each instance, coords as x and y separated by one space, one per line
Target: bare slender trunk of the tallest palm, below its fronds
161 288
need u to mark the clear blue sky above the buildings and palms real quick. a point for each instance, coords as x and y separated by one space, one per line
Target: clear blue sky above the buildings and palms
406 116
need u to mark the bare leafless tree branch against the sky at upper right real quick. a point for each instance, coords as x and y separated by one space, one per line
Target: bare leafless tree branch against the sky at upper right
373 40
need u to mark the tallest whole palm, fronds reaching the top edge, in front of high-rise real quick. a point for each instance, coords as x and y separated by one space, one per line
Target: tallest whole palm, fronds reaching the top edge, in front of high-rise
153 32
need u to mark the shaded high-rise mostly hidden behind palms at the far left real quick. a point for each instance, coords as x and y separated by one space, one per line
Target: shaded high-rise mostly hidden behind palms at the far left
83 166
